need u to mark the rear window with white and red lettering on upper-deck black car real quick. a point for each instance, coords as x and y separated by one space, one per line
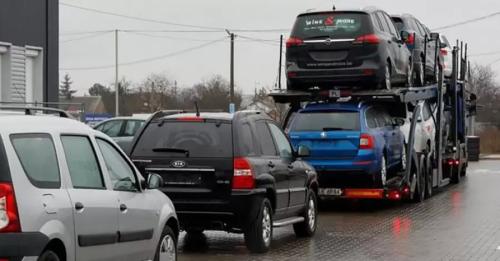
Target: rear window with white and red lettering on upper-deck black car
333 25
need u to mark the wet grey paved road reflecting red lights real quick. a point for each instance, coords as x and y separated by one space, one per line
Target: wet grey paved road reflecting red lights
461 222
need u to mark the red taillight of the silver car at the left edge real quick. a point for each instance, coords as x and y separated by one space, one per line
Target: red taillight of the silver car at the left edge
9 218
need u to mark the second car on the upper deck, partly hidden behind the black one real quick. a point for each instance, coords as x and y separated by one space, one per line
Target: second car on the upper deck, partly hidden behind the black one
422 44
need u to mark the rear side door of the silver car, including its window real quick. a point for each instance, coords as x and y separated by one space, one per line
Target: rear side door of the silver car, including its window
95 207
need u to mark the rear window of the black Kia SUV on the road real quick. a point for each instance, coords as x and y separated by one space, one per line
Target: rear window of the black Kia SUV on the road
209 139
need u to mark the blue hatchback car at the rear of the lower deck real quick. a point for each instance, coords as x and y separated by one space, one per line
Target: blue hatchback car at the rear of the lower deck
352 145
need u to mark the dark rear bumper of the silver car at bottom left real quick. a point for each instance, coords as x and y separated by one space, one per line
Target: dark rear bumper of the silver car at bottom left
18 245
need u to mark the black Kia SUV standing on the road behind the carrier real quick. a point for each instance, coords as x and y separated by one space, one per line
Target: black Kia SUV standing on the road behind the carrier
231 172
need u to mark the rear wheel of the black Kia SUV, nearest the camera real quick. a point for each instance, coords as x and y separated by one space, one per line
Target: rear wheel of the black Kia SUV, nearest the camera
259 233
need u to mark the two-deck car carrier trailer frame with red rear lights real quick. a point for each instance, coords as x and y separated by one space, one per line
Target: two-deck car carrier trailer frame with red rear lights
425 172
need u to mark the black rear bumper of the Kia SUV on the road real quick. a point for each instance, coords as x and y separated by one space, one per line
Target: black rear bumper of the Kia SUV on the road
241 208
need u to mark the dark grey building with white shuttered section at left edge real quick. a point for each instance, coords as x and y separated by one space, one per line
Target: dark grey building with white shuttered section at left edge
29 47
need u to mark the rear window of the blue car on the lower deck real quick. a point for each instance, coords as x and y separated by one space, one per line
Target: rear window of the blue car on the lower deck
326 121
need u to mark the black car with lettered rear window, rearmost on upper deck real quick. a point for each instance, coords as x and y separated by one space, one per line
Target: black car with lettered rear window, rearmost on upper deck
346 48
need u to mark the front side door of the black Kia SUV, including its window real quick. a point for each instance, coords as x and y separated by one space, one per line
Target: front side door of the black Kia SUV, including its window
296 176
